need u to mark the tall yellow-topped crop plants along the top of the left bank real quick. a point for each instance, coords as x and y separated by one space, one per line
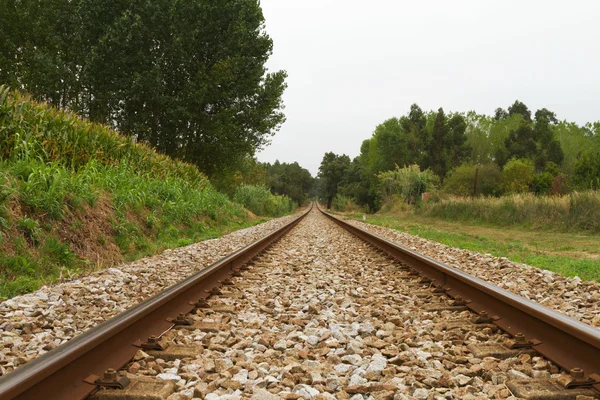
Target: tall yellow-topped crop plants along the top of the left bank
36 131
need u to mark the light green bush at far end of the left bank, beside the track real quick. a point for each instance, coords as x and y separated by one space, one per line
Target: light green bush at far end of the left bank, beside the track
261 201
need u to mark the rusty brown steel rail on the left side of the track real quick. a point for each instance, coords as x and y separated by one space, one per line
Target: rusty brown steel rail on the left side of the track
60 373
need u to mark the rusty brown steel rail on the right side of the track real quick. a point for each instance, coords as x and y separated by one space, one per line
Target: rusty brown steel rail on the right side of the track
567 342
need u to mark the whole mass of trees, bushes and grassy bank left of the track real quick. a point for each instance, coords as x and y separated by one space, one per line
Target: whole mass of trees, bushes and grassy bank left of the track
157 140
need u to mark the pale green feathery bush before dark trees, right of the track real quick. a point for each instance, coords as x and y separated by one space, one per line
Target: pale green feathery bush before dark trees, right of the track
409 183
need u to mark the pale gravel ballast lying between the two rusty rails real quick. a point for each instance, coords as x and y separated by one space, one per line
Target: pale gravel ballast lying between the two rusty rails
321 315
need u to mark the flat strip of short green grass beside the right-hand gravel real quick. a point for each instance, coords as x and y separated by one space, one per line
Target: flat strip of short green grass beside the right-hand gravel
569 254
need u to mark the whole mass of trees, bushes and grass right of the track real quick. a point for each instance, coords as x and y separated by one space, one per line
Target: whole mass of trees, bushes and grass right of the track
511 184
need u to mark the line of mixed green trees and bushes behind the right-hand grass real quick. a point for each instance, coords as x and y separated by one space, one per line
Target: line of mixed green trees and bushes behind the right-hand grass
466 154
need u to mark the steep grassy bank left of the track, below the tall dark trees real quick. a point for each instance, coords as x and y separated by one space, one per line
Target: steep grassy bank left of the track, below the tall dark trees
76 196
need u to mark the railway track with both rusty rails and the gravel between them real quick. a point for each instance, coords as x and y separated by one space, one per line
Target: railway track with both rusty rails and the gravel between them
321 313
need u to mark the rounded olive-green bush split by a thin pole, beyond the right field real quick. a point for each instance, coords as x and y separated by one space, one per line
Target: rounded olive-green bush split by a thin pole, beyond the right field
461 181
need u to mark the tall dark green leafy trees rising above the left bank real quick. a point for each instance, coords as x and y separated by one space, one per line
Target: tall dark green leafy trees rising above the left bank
186 77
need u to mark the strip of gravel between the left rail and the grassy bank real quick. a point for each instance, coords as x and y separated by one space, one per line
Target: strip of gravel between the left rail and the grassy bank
33 324
